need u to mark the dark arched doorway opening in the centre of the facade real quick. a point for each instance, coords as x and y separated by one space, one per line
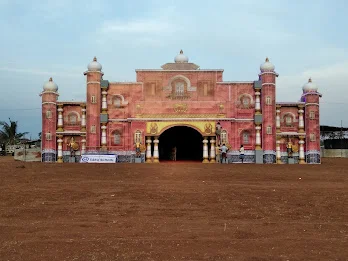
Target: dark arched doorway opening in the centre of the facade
188 143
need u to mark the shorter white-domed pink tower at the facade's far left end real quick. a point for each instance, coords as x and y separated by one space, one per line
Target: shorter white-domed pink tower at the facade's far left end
49 121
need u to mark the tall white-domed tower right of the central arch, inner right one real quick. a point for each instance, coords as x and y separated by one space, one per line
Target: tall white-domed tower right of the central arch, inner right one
268 108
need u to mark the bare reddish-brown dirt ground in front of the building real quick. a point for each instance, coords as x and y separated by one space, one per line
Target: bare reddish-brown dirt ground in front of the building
173 211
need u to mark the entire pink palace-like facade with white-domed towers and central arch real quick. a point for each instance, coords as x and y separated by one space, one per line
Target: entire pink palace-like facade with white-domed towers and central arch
181 106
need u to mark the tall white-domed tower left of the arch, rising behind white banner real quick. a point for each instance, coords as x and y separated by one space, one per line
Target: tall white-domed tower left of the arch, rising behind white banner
93 105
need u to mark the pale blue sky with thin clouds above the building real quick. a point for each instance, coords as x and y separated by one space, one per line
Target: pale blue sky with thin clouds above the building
42 39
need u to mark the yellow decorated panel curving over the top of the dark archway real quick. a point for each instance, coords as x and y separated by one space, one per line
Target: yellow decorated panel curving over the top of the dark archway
204 127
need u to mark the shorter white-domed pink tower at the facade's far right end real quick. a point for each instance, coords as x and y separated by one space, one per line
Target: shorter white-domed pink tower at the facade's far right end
311 98
